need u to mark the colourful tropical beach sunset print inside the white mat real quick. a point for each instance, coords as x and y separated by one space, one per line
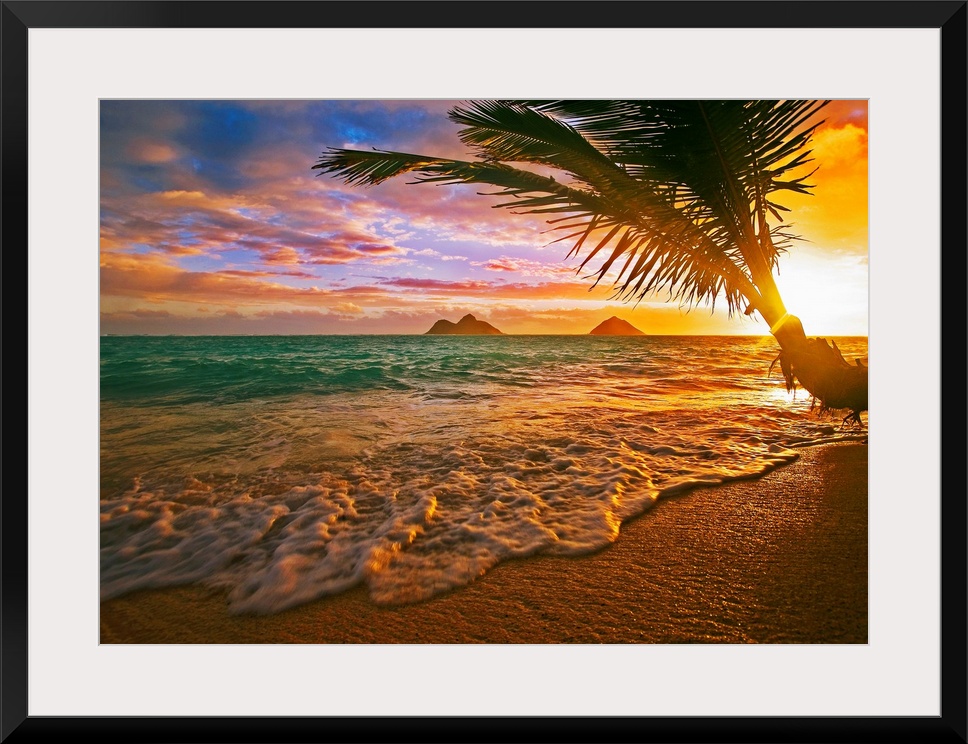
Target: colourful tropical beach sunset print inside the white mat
483 371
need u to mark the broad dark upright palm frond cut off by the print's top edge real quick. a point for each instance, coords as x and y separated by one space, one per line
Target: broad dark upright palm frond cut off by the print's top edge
721 159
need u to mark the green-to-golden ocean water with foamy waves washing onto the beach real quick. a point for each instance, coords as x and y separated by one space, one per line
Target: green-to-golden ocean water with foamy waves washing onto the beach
281 469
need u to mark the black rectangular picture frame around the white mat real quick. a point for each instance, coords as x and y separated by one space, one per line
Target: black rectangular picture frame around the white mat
949 16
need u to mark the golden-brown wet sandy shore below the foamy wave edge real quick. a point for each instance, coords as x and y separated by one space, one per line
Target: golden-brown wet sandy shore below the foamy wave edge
780 559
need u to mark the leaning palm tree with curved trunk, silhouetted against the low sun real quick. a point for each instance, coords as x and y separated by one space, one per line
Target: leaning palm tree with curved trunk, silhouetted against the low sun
682 196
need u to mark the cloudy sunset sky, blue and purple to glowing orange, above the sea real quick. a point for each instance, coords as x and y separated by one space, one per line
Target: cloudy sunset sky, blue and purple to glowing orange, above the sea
212 221
